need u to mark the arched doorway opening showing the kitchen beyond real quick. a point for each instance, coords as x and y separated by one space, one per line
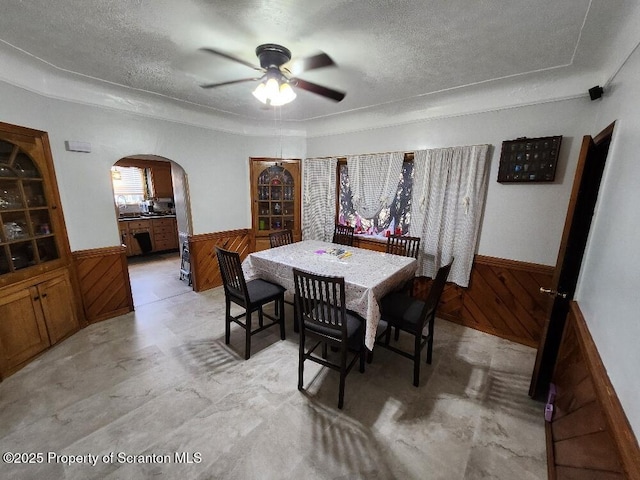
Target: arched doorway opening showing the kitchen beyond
153 212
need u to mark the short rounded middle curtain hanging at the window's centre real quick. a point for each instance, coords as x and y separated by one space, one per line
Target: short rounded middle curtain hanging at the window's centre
374 181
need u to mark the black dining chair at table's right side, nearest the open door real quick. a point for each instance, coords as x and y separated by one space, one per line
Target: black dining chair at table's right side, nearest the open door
411 315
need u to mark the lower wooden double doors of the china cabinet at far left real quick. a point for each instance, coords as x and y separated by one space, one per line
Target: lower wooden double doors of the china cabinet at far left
33 316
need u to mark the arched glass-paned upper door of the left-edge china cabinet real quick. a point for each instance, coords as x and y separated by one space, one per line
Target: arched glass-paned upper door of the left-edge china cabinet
27 237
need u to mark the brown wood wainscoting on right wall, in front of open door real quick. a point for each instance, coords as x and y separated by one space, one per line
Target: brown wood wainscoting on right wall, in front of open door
589 436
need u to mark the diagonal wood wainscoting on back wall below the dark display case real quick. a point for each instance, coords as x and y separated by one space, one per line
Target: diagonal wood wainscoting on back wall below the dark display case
503 299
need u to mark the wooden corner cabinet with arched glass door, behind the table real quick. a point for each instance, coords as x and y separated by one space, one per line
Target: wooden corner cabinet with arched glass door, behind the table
275 198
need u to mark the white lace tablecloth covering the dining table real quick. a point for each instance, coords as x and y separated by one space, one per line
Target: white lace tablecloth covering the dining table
368 275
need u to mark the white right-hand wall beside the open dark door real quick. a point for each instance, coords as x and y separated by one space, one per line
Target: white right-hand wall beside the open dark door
609 287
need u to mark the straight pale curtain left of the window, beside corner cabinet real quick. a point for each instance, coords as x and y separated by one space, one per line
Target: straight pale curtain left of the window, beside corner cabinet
319 198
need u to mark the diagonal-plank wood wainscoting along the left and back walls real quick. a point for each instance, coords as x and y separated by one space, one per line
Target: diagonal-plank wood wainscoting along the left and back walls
502 299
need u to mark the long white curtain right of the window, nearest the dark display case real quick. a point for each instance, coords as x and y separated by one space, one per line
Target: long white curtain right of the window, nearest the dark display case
449 186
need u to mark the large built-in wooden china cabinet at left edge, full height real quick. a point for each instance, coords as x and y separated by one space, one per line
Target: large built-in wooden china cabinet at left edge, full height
38 306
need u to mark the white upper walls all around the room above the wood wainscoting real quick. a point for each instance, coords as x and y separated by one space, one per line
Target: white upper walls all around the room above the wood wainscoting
521 222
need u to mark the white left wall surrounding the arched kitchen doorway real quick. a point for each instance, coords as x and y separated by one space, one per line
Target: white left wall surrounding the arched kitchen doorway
216 162
